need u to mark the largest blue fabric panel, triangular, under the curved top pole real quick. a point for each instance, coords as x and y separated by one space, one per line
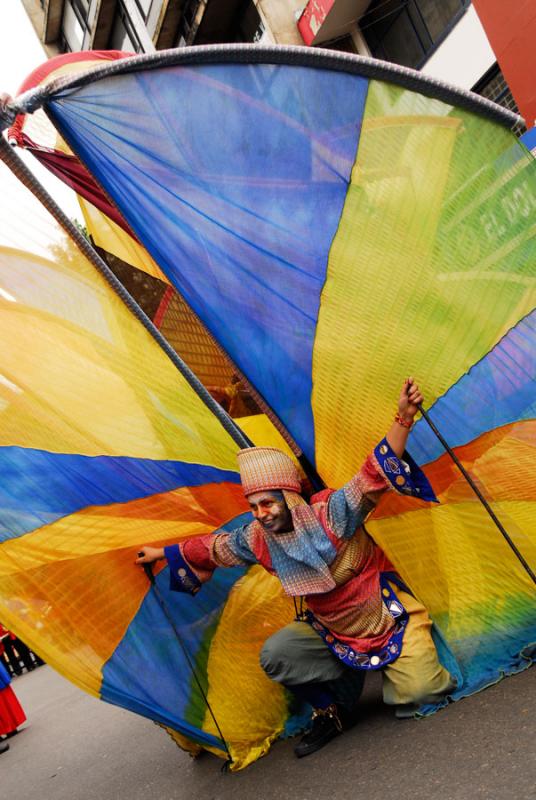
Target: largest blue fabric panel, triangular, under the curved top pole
234 177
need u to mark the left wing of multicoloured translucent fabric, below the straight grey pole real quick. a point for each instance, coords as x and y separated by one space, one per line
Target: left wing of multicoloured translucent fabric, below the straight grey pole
105 447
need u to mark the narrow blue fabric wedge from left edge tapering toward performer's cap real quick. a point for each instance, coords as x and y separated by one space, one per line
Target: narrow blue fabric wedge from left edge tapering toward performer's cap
38 487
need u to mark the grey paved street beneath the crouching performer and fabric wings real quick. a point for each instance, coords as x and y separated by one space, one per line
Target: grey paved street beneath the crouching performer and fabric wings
77 748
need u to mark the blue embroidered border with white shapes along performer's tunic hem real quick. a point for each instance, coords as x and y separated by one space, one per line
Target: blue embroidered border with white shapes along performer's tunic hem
377 659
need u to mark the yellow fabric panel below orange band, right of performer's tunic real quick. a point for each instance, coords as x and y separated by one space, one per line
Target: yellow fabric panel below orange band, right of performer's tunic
456 560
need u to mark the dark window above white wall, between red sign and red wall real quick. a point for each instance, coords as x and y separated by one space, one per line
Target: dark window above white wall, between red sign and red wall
407 31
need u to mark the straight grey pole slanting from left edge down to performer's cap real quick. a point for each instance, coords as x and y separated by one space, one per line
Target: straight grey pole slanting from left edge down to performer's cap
21 171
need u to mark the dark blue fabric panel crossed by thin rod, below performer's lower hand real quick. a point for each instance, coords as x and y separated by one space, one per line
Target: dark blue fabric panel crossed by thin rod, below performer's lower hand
148 672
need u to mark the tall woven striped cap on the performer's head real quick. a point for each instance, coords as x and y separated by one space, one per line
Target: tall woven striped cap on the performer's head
265 468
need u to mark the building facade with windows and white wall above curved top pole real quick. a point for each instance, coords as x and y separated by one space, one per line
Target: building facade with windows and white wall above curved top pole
443 38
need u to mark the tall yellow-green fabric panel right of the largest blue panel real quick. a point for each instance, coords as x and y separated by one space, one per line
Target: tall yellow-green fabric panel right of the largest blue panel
394 293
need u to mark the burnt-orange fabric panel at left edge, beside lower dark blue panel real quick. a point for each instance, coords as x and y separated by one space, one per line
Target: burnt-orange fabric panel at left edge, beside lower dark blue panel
83 603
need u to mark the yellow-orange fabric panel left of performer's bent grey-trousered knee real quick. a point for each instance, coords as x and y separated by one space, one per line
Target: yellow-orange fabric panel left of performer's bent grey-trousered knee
253 710
